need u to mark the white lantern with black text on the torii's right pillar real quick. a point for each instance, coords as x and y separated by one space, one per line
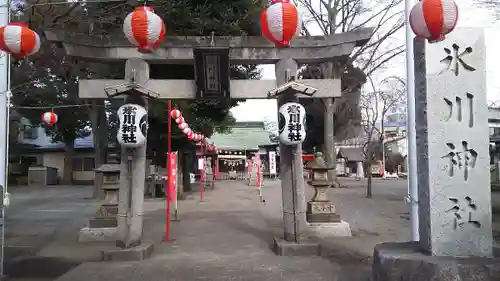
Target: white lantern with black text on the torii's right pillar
292 121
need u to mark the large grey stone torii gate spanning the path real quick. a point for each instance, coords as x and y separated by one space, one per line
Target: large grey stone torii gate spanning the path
238 50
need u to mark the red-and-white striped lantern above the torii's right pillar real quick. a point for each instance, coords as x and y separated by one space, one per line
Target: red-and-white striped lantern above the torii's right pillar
281 22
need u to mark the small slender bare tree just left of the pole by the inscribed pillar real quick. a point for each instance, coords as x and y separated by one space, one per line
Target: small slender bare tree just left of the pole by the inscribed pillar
375 105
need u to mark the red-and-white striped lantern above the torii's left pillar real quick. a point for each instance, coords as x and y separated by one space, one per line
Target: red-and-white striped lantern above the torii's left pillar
144 29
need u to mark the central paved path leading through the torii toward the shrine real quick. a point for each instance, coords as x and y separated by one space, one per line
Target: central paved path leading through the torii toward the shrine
225 237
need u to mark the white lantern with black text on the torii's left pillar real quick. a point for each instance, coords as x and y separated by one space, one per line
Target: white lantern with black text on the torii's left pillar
133 127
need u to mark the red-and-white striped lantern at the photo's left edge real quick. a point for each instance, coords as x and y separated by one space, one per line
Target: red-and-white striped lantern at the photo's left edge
18 40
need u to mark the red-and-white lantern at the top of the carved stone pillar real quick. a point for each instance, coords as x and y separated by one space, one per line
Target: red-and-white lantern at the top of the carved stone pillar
433 19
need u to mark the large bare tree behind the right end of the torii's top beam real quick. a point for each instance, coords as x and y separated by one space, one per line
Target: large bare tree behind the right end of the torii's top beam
337 16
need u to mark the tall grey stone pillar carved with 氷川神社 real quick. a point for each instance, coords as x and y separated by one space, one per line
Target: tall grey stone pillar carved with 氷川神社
452 145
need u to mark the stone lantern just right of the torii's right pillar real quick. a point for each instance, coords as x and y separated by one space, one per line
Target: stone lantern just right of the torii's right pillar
320 209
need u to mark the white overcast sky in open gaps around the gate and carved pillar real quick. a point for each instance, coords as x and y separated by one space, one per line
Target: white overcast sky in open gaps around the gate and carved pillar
470 16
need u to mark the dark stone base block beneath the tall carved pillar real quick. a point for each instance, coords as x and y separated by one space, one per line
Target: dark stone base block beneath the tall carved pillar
404 261
